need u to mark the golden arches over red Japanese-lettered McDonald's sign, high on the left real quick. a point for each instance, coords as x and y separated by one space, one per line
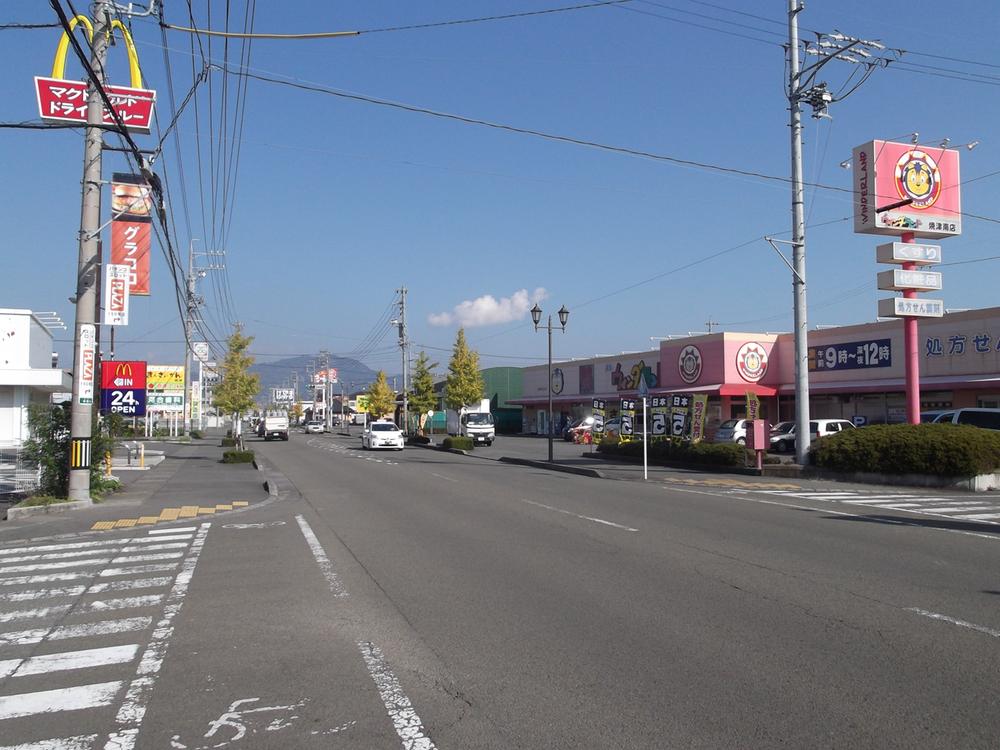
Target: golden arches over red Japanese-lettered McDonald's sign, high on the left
62 100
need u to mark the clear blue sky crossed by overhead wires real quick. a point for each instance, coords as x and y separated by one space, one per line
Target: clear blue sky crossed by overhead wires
337 202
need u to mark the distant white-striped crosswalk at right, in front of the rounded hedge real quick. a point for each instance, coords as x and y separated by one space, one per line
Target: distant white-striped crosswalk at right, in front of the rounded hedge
960 507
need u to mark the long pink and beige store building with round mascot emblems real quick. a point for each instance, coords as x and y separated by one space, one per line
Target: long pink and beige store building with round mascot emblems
855 372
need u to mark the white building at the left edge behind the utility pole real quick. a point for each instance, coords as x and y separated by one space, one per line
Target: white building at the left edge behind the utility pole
26 372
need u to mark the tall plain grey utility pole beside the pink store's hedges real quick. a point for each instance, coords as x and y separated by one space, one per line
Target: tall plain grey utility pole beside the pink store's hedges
798 241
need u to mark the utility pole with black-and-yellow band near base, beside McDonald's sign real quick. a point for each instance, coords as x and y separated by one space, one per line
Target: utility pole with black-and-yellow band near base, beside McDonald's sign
84 336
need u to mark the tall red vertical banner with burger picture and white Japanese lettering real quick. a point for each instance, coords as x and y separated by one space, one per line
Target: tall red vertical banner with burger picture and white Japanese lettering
131 226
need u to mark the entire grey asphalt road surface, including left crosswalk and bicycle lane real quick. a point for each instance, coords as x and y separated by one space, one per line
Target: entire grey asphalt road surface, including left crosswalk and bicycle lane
423 599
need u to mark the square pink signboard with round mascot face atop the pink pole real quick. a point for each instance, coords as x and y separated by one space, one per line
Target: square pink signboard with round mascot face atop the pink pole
902 188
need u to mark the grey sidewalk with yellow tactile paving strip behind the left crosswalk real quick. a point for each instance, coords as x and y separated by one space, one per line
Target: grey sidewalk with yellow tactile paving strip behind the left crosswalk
189 483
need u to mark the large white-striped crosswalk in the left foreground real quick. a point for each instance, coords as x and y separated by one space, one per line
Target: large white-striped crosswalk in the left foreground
84 627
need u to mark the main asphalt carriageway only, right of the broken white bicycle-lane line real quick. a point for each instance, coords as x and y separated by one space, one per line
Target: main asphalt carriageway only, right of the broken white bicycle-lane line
567 612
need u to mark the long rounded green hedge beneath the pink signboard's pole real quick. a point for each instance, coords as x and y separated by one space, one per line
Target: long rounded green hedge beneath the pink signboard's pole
938 449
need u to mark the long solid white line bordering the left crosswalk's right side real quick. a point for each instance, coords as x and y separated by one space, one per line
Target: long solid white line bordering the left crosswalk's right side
133 709
